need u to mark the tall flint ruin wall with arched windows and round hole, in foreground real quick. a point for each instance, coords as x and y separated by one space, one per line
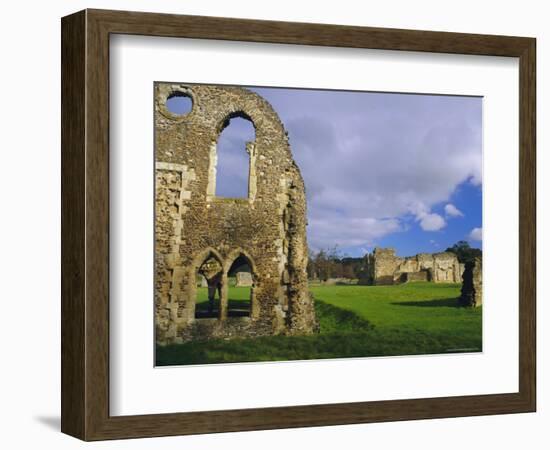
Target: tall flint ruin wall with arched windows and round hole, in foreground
193 225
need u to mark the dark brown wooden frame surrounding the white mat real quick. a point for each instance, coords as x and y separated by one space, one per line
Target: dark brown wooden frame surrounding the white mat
85 224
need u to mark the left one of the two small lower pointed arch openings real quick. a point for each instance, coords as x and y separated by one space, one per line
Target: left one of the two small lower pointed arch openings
209 279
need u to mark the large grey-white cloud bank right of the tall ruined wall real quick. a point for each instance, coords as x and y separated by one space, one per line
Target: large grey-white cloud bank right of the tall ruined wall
370 162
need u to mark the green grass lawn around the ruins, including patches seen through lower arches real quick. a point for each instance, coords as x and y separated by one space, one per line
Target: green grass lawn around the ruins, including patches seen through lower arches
355 321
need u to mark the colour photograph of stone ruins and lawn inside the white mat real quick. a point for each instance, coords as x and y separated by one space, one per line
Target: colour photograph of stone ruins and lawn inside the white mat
298 223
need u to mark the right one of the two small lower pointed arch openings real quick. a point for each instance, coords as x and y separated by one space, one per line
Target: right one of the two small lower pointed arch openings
241 287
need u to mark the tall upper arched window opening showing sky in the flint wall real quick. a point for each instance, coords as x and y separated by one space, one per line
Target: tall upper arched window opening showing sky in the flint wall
233 157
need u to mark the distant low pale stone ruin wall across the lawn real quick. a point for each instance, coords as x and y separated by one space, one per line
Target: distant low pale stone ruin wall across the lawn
383 267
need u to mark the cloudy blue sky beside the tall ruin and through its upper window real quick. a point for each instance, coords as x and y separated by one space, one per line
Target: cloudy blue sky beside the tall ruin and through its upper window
380 169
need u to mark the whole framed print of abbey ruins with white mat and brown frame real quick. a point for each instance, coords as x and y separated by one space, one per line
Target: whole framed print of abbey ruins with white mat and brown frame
272 224
